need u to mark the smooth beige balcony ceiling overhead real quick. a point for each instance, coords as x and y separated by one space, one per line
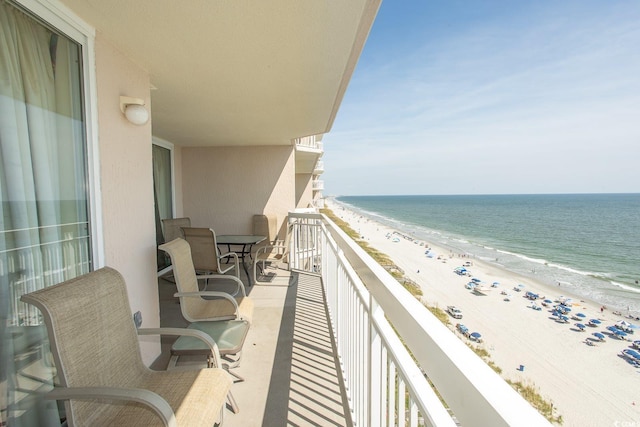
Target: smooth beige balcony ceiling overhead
233 72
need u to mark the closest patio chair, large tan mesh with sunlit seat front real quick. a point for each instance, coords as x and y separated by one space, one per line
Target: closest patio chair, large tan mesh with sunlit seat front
100 373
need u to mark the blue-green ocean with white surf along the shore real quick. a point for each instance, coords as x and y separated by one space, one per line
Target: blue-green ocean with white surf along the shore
587 243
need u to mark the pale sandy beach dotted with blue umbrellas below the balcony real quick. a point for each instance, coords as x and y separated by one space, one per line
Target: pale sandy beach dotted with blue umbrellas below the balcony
589 385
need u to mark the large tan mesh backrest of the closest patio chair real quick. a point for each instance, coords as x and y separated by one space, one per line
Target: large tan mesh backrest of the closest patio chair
92 335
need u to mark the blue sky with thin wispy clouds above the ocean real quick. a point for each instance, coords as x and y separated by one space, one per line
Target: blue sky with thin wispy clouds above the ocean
492 97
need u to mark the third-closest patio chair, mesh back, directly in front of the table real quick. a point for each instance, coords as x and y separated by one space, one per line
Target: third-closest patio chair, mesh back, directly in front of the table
205 253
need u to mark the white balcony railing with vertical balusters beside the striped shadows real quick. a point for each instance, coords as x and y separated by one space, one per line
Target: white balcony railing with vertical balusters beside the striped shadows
385 384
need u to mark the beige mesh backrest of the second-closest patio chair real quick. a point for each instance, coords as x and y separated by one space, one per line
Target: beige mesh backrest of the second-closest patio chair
185 276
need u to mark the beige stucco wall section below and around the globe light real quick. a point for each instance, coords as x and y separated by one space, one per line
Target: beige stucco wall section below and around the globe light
126 182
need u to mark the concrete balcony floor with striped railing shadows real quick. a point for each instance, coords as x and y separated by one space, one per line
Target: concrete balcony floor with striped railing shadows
290 372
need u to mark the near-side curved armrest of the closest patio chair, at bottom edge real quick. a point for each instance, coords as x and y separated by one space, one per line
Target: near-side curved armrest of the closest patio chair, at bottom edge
146 397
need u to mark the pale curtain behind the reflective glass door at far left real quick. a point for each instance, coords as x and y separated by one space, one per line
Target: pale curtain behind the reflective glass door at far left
44 222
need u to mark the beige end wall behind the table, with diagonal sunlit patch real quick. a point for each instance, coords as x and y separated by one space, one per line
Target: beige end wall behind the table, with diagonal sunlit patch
223 187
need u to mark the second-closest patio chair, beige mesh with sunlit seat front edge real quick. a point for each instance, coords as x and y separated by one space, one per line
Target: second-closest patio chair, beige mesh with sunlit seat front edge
194 306
